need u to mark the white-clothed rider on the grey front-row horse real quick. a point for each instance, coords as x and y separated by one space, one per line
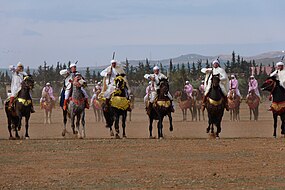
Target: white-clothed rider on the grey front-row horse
68 84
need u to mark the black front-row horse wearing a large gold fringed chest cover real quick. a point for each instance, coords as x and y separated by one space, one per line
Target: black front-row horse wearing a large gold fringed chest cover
119 105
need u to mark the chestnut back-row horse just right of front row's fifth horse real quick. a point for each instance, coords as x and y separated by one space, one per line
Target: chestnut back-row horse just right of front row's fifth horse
234 105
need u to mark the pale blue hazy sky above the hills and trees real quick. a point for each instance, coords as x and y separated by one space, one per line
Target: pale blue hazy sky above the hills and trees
89 31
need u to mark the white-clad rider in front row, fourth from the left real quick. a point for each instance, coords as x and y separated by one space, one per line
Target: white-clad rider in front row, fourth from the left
156 77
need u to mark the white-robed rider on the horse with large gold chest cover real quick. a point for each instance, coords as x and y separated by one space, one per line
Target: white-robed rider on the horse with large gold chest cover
109 75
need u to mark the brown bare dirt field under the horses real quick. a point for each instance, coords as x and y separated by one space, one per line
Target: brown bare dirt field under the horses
245 157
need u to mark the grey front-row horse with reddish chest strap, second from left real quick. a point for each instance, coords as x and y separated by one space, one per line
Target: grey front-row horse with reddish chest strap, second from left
76 108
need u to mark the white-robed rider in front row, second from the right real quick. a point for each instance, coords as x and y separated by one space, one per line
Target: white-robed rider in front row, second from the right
216 69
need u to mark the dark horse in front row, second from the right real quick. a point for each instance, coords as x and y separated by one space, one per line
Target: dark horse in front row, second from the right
215 106
